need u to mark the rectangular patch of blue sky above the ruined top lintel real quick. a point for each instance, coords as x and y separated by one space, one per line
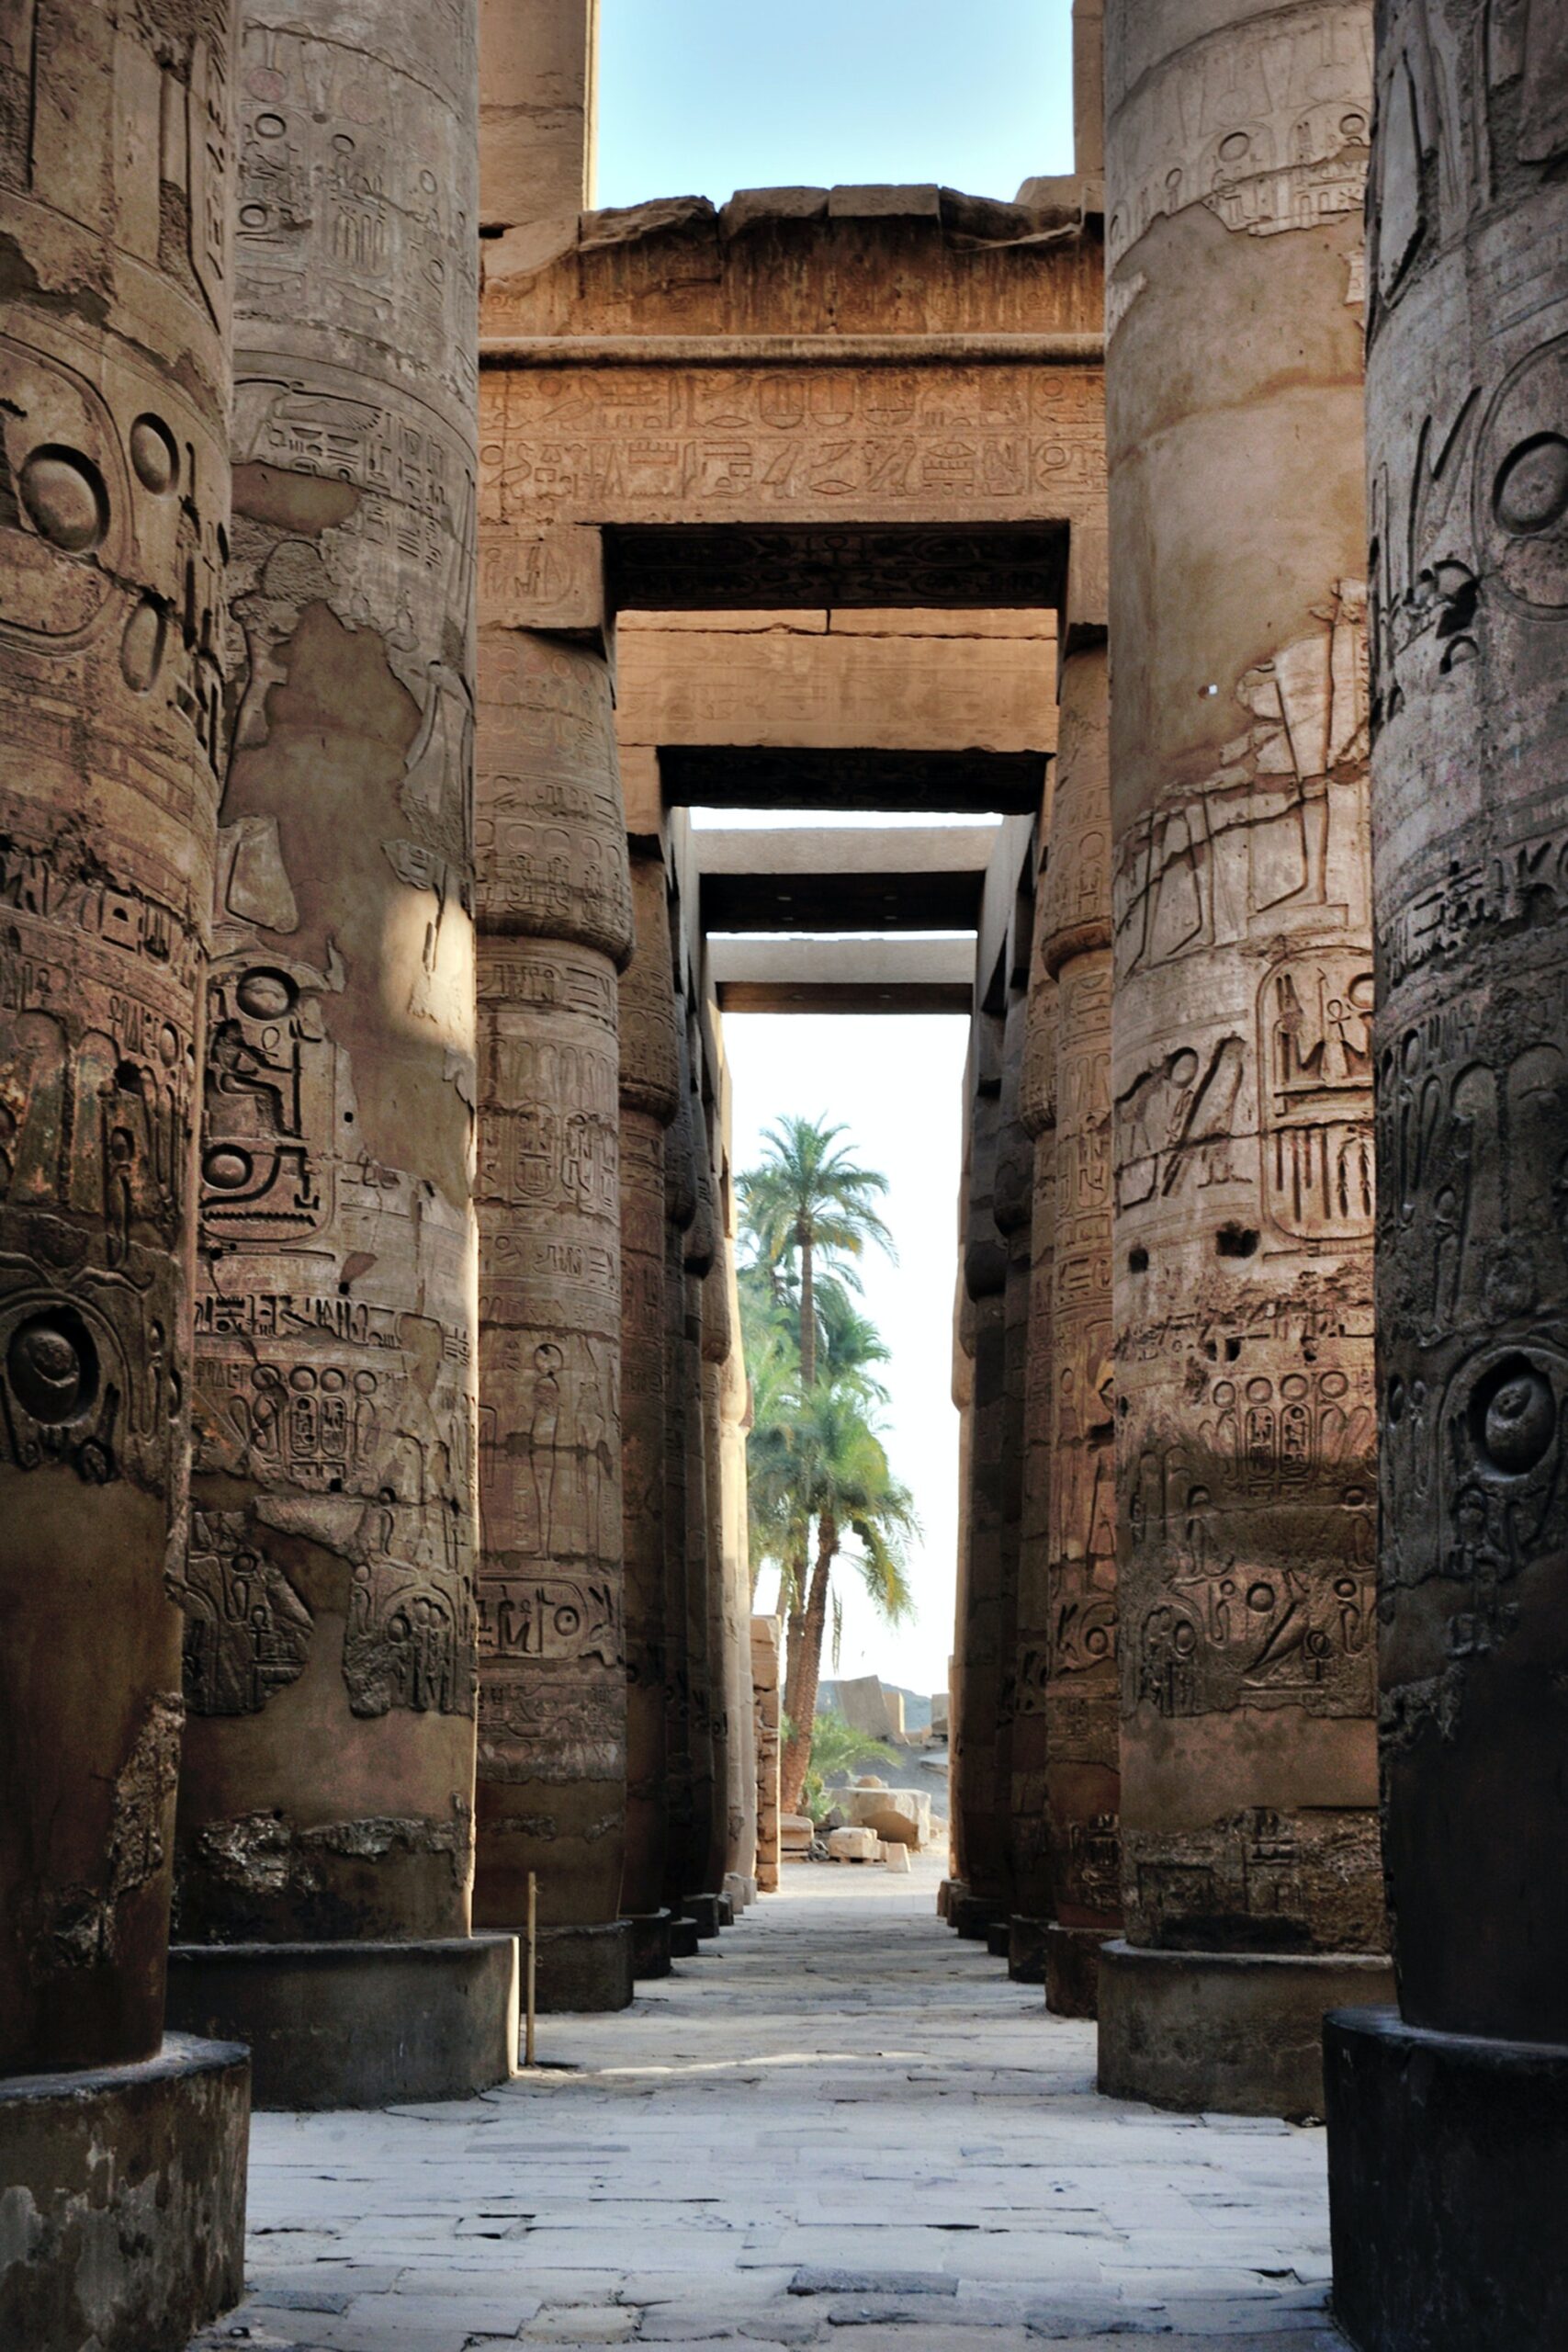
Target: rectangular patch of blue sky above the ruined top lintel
702 98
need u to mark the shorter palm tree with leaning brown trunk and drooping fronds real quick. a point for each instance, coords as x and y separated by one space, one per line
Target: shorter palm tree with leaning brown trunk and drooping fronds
850 1490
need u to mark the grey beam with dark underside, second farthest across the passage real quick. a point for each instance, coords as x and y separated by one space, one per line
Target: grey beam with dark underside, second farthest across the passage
838 878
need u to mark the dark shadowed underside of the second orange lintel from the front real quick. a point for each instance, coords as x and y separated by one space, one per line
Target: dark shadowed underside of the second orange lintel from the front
916 782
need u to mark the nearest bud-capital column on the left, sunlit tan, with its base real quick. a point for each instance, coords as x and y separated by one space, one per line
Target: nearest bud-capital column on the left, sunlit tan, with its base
556 926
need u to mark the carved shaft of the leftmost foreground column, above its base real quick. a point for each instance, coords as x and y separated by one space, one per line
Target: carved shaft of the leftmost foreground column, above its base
116 180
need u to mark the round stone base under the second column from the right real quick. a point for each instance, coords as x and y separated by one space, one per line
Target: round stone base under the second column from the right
1238 2033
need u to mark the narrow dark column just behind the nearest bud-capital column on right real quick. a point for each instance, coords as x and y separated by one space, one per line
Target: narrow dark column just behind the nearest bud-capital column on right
1033 1608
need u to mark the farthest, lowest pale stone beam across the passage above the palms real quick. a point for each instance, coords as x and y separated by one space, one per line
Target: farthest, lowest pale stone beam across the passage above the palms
843 975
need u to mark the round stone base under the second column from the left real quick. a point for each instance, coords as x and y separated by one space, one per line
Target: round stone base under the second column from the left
356 2024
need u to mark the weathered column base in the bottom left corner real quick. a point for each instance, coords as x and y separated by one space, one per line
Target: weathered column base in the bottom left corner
123 2205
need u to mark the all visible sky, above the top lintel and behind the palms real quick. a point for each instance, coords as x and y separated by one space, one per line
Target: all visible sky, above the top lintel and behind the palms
702 98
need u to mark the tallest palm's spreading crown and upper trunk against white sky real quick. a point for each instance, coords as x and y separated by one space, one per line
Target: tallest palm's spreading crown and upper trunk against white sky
808 1198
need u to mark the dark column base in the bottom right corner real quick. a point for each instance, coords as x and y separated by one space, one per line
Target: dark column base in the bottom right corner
1447 2163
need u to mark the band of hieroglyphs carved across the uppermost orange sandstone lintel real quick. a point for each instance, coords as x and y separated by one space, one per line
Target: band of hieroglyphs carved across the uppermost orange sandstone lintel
648 443
